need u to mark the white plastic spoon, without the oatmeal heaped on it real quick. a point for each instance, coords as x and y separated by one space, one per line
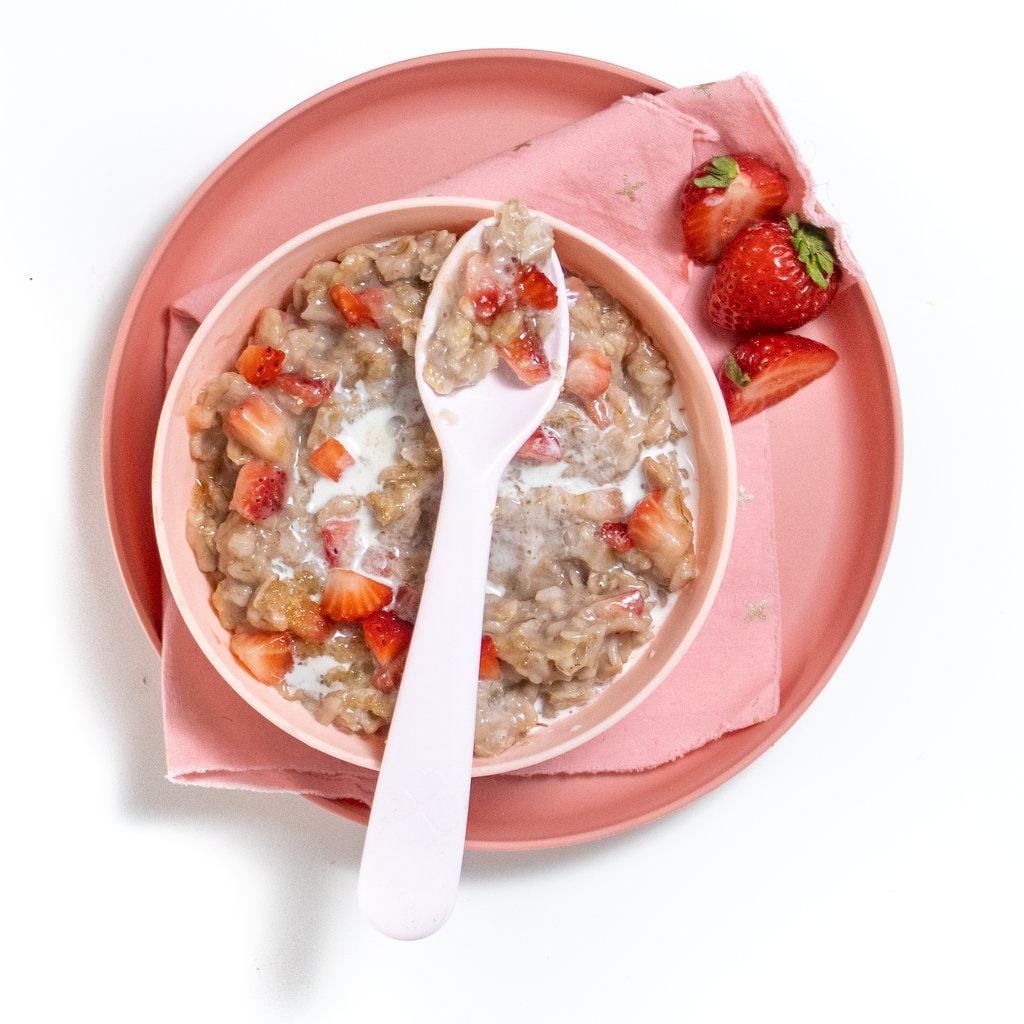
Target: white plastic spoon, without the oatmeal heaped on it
413 851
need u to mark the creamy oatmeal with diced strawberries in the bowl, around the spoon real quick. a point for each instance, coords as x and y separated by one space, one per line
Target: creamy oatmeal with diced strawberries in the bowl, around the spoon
319 480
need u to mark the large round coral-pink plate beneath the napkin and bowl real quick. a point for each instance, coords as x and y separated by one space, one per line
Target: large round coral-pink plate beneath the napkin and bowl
837 487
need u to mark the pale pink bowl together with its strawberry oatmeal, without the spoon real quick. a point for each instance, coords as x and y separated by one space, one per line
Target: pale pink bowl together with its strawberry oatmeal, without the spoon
296 482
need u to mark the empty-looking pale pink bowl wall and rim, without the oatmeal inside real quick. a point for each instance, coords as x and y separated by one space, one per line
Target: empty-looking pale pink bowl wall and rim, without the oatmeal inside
215 349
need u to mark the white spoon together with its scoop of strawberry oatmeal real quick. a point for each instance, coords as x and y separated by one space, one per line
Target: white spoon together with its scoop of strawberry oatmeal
491 359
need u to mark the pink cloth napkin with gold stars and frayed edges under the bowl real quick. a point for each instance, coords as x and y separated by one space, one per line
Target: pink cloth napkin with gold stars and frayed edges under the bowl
617 176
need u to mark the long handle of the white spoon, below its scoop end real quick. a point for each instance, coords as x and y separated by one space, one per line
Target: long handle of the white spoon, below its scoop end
412 856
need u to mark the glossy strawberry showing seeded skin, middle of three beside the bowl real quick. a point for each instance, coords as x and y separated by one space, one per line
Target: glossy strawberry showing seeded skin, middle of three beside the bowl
775 276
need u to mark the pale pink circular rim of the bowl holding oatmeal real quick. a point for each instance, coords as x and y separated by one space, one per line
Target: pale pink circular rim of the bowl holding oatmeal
458 211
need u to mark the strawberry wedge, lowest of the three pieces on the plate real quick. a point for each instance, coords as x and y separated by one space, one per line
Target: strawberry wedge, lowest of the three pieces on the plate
764 370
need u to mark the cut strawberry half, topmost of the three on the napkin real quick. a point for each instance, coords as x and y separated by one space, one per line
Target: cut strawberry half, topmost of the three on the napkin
726 195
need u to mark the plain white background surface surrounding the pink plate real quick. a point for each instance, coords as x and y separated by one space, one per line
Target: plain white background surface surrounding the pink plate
868 868
